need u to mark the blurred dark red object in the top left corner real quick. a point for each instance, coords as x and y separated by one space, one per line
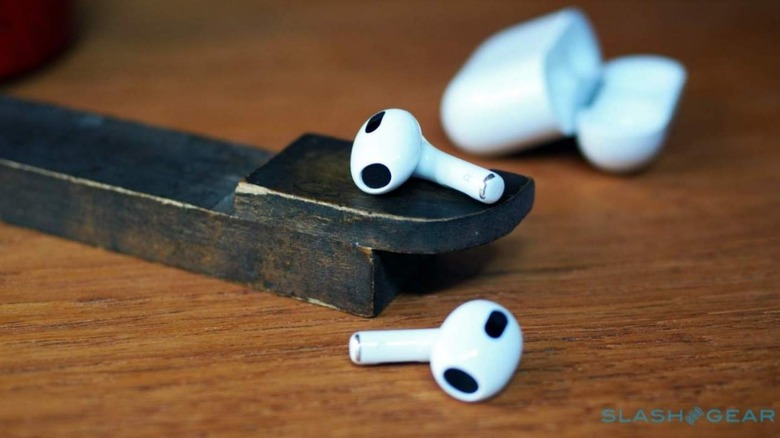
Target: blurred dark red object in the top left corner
32 31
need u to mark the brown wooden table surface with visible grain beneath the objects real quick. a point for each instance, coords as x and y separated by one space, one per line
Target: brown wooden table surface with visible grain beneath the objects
654 291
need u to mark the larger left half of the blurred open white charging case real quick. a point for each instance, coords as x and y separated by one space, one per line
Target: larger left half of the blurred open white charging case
523 85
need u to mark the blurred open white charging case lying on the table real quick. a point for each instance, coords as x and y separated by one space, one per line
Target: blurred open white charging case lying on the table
545 79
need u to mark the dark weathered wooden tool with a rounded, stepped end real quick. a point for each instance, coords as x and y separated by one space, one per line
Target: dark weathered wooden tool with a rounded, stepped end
294 224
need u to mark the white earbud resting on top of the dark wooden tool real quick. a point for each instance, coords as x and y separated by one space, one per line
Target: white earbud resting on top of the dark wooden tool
390 148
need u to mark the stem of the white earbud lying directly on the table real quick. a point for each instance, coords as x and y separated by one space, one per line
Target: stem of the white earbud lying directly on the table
389 346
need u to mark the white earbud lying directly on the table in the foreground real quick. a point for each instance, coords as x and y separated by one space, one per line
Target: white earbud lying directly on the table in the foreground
473 355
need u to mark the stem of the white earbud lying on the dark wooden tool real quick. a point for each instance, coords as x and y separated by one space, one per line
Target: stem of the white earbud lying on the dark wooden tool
477 182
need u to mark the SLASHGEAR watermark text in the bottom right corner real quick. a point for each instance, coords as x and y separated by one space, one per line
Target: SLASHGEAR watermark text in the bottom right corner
692 416
